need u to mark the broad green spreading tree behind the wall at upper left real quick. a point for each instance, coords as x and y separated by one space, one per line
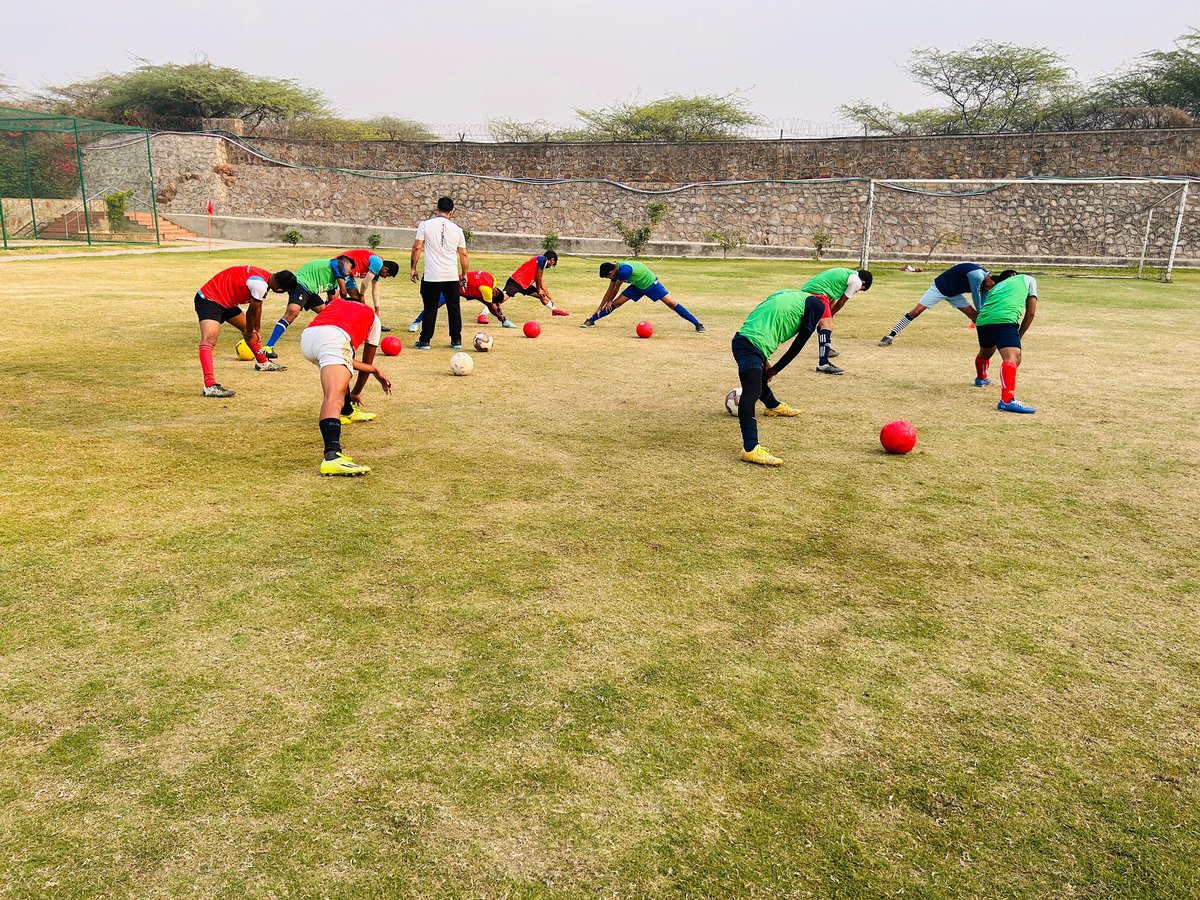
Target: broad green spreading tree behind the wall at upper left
172 95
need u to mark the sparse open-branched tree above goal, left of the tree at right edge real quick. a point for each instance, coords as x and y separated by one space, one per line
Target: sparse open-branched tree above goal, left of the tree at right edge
987 88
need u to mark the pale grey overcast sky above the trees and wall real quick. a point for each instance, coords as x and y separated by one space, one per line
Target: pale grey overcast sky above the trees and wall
449 63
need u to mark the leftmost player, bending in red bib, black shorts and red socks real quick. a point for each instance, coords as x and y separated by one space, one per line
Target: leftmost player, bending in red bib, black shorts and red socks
220 301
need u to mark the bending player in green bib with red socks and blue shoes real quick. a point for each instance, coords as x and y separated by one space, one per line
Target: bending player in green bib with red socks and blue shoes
1013 301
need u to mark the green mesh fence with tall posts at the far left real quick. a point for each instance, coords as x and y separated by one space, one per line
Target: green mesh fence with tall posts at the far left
65 179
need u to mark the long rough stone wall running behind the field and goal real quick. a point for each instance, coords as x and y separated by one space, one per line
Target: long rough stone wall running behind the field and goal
1031 221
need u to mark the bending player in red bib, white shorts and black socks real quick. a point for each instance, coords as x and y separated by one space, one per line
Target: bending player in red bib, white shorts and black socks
329 344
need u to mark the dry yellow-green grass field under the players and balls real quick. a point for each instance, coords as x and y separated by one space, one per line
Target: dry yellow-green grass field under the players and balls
562 641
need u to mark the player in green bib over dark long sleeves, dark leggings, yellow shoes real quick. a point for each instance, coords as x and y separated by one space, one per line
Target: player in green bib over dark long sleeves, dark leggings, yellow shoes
781 317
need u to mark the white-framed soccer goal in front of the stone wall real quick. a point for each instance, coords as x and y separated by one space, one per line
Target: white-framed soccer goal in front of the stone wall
1149 225
